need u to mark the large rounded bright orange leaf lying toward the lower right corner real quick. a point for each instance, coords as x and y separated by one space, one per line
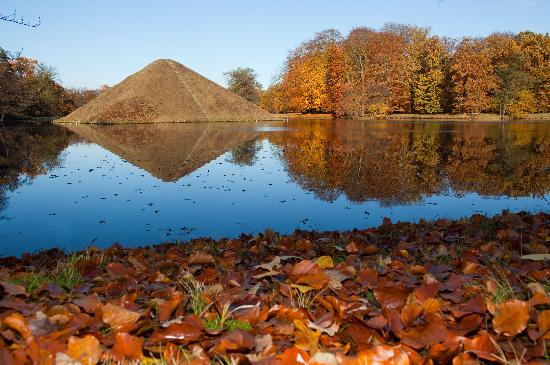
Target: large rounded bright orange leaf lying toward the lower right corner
511 317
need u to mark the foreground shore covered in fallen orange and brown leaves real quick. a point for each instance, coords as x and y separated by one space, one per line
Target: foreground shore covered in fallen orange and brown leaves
445 292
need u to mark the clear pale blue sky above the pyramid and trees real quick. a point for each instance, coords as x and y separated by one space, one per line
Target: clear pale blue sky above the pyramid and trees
97 42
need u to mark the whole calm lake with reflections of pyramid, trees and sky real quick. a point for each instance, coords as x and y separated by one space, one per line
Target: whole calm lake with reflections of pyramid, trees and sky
78 185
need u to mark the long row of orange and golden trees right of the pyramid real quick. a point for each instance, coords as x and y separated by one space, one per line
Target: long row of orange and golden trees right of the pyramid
406 69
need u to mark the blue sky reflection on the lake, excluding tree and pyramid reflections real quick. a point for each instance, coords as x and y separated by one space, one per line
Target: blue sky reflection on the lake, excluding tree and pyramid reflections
97 197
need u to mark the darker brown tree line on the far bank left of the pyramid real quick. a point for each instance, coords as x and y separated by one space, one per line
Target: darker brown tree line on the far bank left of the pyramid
30 89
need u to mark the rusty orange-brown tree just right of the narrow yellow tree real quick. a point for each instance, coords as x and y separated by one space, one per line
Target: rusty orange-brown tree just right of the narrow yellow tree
473 78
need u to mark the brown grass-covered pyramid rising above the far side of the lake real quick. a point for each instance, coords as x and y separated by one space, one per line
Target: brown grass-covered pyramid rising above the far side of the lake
166 91
